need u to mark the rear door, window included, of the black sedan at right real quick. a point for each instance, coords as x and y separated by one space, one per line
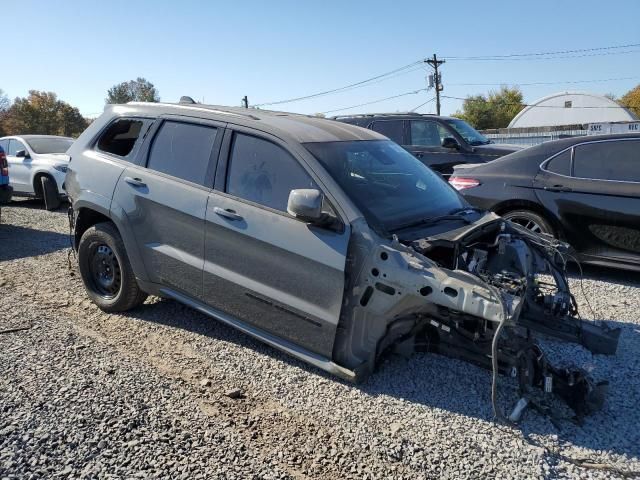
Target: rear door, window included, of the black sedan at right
594 189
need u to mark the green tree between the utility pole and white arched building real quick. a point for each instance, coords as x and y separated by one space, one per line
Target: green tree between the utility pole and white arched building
494 110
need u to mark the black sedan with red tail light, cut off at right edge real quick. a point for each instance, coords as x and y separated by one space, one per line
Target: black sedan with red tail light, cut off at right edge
585 190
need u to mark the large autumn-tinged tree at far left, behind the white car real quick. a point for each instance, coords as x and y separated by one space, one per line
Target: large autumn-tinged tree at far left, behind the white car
43 113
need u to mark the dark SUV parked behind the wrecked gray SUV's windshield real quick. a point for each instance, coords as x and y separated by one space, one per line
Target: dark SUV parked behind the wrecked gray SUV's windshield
439 142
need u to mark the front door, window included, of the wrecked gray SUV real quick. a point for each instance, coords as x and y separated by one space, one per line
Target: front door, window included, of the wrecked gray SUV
262 265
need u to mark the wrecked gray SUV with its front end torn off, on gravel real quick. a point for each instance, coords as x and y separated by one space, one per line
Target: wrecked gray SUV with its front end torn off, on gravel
322 239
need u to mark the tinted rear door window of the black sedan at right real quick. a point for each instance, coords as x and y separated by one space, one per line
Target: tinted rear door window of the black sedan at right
615 160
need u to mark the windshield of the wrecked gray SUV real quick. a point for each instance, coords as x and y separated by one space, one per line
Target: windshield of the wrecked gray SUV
389 185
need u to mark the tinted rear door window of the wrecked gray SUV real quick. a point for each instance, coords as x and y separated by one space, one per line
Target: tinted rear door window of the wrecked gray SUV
183 150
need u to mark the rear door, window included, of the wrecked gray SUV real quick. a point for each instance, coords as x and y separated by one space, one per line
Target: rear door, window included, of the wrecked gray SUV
165 199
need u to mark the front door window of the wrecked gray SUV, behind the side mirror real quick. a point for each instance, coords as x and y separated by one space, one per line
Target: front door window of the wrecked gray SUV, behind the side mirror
264 173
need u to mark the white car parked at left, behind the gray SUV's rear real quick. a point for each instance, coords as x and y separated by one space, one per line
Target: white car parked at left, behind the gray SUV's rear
37 166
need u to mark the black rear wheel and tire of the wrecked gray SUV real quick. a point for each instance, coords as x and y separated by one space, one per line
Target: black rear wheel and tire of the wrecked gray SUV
105 269
